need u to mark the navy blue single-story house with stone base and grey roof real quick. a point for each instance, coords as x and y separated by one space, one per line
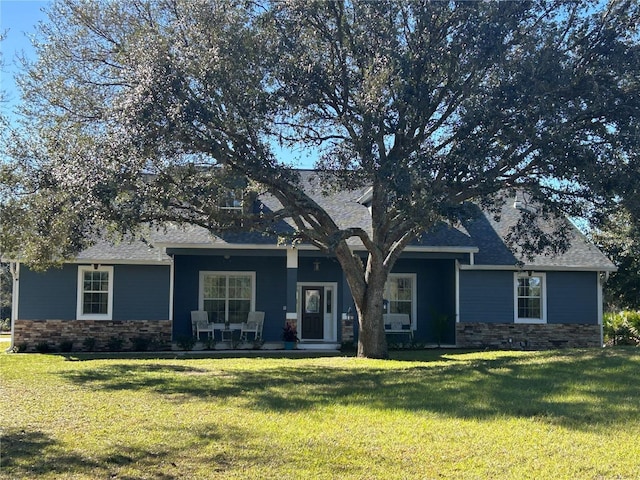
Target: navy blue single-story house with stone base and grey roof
460 286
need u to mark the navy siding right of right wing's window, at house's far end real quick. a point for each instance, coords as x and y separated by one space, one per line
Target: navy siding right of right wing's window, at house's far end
572 297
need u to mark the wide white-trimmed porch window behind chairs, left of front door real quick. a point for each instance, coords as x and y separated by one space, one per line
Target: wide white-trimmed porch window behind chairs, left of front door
227 296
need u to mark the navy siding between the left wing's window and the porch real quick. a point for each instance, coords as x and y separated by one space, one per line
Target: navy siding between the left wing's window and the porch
141 292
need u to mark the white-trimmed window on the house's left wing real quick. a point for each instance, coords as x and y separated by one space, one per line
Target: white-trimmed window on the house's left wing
95 293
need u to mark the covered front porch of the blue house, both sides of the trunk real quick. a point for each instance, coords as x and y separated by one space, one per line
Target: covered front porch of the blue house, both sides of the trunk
305 289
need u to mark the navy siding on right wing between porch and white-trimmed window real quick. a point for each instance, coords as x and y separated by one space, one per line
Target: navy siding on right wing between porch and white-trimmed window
486 296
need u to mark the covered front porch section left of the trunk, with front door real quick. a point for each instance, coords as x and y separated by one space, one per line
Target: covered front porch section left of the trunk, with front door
300 287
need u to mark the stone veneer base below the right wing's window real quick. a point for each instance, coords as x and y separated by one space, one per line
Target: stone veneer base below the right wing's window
527 336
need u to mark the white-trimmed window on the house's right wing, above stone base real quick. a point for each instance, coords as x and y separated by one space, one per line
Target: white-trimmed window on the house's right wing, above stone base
530 301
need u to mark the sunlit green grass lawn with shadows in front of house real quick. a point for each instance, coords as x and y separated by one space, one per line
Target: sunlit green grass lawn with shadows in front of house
499 415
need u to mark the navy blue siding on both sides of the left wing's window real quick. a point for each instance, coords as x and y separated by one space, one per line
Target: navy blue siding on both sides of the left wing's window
140 292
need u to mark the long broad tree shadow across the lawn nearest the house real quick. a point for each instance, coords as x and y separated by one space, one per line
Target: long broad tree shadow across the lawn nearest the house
578 389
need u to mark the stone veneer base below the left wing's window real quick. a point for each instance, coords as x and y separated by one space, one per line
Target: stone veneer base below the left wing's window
30 333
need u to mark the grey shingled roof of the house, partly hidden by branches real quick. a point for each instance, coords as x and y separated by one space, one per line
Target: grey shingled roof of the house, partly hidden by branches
483 236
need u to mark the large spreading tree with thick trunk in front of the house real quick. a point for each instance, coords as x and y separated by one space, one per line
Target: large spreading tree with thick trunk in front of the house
132 104
